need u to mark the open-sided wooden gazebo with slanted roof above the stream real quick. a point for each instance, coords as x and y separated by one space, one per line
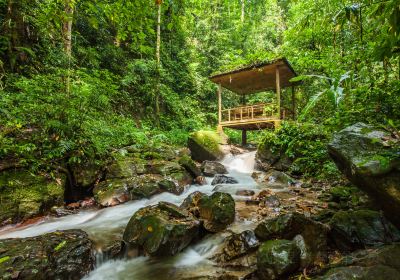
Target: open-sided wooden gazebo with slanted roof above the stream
252 79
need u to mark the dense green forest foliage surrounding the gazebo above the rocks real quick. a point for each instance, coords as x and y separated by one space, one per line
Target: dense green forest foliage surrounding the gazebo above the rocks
60 108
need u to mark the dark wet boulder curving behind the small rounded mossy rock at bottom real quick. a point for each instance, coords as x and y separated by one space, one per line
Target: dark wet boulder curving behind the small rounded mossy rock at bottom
310 236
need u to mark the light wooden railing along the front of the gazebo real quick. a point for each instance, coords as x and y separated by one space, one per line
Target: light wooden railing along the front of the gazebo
250 113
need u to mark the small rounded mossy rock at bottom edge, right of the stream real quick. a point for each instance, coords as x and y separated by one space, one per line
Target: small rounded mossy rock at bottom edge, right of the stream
277 258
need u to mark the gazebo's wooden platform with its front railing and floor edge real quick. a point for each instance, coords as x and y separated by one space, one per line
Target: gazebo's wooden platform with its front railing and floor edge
251 117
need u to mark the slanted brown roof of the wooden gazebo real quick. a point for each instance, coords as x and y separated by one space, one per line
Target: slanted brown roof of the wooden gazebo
256 78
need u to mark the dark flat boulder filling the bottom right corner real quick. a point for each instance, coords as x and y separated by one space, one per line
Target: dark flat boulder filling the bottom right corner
382 263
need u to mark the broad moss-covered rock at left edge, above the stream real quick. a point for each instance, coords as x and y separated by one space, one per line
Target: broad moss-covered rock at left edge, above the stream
24 195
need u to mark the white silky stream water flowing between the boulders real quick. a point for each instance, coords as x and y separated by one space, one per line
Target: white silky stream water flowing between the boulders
108 224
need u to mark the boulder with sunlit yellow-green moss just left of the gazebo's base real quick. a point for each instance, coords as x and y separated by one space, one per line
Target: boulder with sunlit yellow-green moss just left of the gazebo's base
205 145
